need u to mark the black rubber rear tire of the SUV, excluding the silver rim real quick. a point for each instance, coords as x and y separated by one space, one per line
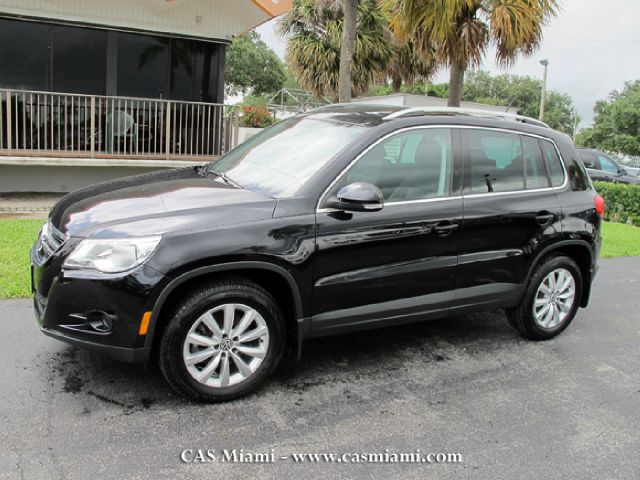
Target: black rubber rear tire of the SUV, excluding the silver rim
522 318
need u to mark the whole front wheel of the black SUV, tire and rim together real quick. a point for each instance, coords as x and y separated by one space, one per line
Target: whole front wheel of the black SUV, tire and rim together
222 341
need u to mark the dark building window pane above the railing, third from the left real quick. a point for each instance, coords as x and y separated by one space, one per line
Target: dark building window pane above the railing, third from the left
143 63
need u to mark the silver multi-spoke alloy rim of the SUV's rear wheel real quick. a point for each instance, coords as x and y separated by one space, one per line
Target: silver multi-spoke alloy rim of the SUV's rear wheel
554 298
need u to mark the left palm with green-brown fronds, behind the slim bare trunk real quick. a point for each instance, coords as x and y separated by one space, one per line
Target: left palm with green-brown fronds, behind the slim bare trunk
315 53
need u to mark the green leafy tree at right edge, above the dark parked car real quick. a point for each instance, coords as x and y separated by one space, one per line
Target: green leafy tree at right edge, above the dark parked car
616 125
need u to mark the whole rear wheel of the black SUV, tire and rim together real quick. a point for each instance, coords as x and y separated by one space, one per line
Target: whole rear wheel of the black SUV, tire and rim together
551 299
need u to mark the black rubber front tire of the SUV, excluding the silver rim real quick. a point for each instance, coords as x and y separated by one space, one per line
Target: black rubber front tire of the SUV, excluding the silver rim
232 290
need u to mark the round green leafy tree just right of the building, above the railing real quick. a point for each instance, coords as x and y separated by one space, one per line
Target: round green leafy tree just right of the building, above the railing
252 67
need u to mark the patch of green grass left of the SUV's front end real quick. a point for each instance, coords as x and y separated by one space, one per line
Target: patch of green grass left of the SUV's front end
16 238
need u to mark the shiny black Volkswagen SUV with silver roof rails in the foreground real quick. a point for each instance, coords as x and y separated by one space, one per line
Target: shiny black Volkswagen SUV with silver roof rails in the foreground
344 218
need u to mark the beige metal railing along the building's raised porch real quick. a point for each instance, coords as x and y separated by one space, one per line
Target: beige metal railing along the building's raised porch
61 124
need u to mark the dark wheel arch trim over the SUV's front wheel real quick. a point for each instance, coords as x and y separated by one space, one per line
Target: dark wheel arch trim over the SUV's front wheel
273 278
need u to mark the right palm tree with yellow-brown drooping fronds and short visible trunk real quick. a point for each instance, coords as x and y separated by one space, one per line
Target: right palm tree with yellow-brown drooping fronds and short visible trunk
460 31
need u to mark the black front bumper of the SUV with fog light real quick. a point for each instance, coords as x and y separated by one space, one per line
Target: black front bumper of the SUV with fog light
100 313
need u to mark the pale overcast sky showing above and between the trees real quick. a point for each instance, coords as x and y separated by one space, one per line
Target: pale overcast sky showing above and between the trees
593 47
